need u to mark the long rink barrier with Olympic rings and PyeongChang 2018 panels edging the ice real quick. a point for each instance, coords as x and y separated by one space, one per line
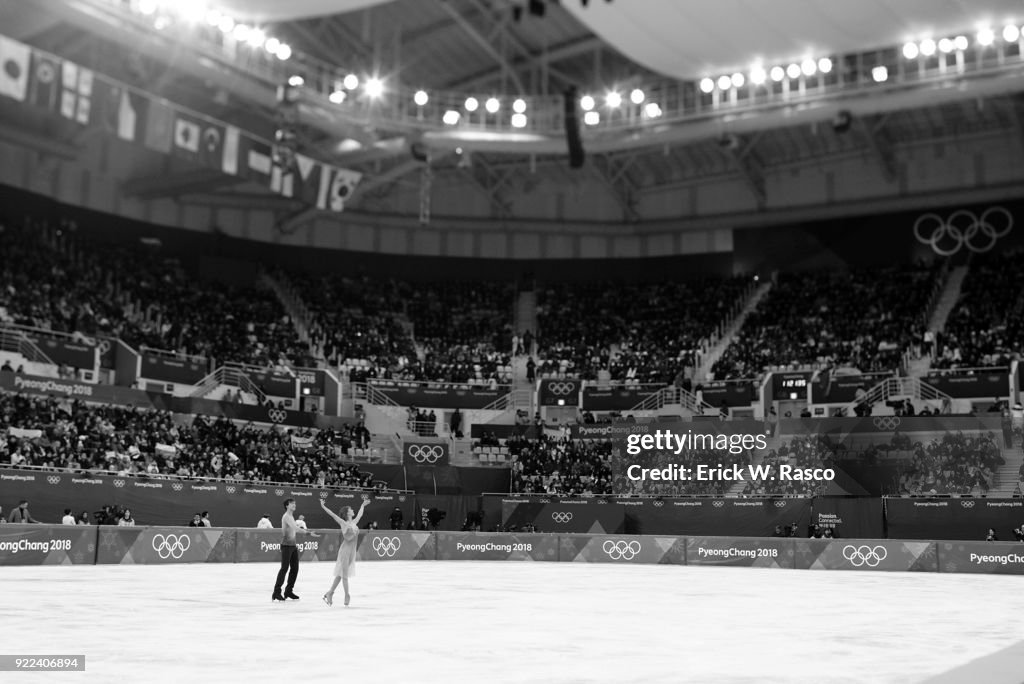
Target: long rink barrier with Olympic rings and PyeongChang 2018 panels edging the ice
60 545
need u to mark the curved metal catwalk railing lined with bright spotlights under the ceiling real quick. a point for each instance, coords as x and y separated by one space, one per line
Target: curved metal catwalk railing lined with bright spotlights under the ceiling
849 74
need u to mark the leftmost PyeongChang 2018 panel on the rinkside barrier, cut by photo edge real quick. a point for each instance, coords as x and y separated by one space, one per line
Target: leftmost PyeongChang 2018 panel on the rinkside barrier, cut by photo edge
48 545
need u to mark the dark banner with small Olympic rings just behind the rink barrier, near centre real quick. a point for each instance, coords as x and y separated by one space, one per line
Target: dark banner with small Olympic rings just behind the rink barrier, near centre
554 515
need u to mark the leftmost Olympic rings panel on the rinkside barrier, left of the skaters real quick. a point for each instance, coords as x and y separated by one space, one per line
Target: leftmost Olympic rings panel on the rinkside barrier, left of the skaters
165 545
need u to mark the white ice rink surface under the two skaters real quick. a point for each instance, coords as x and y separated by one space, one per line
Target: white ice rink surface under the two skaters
505 622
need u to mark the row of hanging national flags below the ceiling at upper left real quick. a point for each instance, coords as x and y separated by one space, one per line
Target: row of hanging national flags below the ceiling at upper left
81 96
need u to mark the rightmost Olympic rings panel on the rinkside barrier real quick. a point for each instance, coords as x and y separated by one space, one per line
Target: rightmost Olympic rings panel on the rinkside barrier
867 555
